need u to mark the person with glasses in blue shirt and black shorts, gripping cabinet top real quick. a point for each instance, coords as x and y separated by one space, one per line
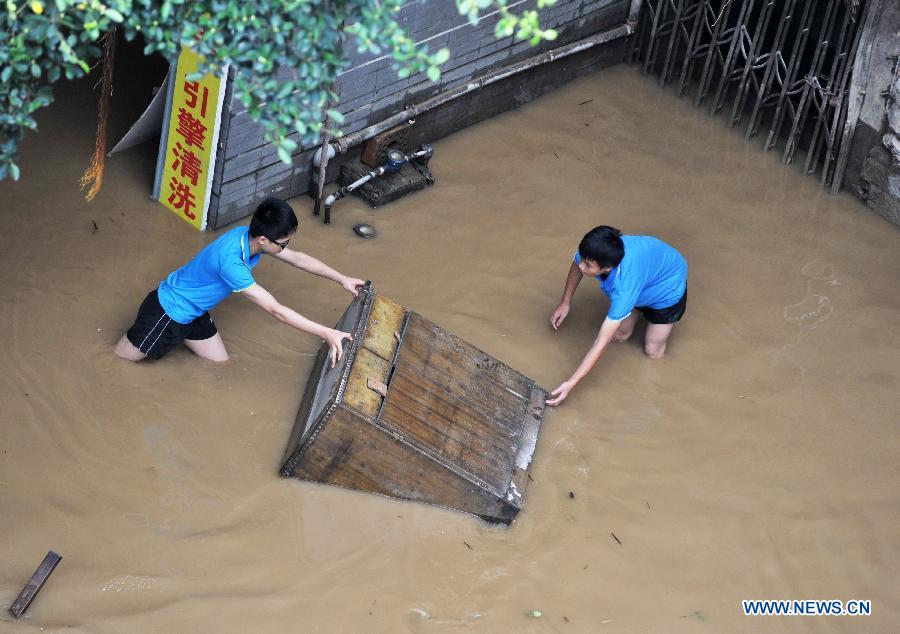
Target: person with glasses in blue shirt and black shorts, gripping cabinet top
177 311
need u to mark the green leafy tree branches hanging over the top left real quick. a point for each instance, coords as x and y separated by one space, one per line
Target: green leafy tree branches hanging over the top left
43 41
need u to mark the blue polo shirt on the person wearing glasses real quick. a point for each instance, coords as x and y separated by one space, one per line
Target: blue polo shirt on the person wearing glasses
221 268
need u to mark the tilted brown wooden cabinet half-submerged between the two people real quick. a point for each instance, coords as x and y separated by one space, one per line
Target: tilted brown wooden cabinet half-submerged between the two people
414 412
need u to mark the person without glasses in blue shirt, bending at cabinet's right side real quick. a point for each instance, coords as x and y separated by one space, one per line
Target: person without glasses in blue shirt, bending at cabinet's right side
637 273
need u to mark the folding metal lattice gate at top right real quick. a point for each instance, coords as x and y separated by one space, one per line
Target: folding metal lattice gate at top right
784 65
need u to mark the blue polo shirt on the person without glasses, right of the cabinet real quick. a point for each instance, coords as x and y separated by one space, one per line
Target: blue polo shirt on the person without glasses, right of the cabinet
651 275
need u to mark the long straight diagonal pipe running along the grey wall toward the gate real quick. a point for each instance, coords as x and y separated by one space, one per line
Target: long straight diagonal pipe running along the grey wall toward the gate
344 143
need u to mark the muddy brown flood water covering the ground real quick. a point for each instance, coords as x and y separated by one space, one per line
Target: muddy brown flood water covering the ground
759 459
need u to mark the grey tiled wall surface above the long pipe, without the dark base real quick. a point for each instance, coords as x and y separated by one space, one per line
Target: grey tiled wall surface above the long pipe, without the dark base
371 91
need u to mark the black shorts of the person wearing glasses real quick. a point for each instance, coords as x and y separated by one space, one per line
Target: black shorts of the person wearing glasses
155 333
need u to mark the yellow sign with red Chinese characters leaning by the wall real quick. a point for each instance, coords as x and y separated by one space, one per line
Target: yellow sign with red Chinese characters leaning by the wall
193 132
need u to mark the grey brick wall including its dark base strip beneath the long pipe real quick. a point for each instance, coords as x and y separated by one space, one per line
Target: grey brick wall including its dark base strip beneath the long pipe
248 169
